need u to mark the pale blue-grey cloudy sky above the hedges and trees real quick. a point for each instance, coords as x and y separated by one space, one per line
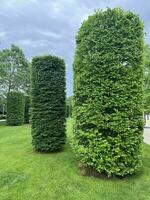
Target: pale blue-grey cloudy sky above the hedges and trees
49 26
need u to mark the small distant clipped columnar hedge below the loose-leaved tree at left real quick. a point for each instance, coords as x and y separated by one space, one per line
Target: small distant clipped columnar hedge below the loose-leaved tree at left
15 108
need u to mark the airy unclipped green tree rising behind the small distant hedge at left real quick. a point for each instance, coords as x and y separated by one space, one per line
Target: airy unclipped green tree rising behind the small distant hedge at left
14 71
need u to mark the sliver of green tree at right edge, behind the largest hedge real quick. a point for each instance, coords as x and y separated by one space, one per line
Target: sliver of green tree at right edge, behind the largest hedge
147 80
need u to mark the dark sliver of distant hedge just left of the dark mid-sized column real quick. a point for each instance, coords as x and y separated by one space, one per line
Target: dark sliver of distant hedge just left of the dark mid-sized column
27 110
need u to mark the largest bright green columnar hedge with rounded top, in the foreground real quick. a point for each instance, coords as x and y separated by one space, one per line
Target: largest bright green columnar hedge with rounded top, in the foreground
108 76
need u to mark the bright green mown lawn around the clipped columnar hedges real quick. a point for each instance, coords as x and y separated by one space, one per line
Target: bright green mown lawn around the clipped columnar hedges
27 175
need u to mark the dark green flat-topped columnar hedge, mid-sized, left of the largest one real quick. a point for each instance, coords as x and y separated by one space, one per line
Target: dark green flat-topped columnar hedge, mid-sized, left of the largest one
48 103
